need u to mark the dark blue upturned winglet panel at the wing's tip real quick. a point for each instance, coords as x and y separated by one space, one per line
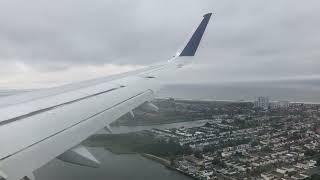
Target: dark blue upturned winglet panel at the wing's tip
194 41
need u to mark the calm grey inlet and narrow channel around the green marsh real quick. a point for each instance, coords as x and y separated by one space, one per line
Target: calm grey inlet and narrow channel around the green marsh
116 167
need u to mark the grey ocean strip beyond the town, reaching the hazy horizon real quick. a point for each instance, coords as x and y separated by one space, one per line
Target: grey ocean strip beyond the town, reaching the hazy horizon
291 90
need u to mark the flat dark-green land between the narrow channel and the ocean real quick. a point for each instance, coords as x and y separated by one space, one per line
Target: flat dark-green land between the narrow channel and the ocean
174 111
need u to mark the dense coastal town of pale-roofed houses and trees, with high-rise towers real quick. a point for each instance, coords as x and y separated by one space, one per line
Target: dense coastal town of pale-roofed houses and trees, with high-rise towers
244 142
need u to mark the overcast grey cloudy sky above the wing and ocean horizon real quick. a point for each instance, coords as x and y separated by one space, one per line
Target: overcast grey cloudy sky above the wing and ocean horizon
46 43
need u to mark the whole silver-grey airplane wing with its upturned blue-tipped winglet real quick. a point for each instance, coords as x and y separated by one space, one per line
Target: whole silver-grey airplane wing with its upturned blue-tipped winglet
38 126
